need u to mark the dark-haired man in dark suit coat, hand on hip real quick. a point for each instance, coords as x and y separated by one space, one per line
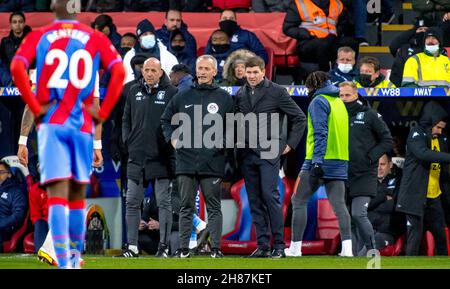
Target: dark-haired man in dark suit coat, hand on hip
263 105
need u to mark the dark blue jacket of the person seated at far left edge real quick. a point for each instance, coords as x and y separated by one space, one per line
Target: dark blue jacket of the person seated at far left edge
13 205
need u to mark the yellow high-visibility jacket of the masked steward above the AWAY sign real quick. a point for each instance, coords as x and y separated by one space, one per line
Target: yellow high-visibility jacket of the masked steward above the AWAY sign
425 70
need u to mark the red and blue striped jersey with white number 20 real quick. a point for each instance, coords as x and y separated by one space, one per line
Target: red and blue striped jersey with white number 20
68 55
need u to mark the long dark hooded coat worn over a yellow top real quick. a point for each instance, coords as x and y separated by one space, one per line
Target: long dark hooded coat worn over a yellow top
419 156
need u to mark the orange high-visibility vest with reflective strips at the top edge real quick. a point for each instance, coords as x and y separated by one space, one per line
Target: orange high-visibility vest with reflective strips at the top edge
315 20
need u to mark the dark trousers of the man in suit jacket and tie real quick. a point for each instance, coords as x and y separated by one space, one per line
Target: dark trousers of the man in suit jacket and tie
261 182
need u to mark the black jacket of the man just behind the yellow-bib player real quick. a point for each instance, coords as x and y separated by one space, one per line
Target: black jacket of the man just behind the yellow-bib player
369 139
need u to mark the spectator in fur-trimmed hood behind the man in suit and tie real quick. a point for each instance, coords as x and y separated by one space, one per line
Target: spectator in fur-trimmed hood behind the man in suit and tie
234 69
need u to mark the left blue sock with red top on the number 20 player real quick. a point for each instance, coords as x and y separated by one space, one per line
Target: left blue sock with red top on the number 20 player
59 228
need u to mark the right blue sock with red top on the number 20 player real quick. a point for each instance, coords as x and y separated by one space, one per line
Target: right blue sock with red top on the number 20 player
77 229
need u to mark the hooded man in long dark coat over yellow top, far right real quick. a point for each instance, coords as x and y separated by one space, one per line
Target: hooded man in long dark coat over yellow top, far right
425 184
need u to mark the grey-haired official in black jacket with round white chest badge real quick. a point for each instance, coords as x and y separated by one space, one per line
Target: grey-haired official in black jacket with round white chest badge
189 123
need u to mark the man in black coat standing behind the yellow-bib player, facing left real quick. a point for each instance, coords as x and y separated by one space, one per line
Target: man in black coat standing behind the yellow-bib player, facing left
369 139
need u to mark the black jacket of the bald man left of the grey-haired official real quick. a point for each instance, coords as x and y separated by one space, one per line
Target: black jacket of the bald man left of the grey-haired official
141 131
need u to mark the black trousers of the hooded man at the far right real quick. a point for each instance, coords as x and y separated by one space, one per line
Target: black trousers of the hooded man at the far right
432 220
